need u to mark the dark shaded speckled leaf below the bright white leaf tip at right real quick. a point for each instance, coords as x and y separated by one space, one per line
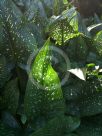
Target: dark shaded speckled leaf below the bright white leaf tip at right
86 100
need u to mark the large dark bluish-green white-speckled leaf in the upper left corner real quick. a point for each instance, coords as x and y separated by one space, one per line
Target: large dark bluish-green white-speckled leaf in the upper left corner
17 42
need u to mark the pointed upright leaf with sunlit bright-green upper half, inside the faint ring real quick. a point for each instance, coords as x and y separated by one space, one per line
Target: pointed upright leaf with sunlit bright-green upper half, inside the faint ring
44 94
